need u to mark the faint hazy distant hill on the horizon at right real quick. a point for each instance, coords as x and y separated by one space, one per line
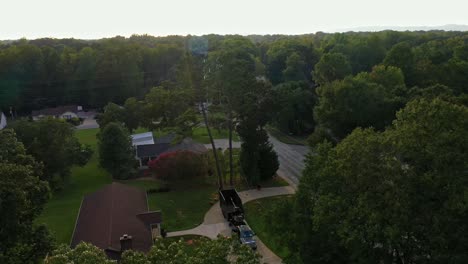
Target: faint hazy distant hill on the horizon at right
449 27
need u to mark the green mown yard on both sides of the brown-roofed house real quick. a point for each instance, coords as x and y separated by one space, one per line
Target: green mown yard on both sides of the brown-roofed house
183 207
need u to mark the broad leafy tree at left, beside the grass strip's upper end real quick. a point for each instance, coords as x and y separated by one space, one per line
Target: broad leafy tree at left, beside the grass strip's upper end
52 142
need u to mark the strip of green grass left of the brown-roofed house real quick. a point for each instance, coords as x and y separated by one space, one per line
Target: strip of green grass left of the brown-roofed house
62 209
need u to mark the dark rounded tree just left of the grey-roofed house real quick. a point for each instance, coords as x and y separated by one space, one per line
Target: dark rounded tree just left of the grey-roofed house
116 153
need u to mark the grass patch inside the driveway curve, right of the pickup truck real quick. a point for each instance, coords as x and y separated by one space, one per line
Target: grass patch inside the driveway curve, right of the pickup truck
255 212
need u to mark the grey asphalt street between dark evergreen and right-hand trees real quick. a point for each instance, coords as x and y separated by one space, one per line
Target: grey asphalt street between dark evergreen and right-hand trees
291 159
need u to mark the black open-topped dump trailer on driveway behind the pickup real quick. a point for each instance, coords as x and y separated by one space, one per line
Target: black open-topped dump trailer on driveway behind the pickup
231 206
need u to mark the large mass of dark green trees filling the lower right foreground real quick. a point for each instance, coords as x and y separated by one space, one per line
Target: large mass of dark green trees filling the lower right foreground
374 197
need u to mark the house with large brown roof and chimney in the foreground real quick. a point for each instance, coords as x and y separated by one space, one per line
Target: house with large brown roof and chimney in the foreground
116 218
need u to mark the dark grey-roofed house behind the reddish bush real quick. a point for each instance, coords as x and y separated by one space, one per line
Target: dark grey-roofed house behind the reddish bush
145 153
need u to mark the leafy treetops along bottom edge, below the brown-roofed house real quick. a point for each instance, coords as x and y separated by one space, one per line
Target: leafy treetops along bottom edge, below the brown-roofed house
202 250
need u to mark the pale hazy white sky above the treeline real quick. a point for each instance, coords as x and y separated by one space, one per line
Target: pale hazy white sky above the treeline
105 18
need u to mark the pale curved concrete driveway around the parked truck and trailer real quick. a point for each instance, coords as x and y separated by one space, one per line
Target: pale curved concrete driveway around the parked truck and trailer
214 223
